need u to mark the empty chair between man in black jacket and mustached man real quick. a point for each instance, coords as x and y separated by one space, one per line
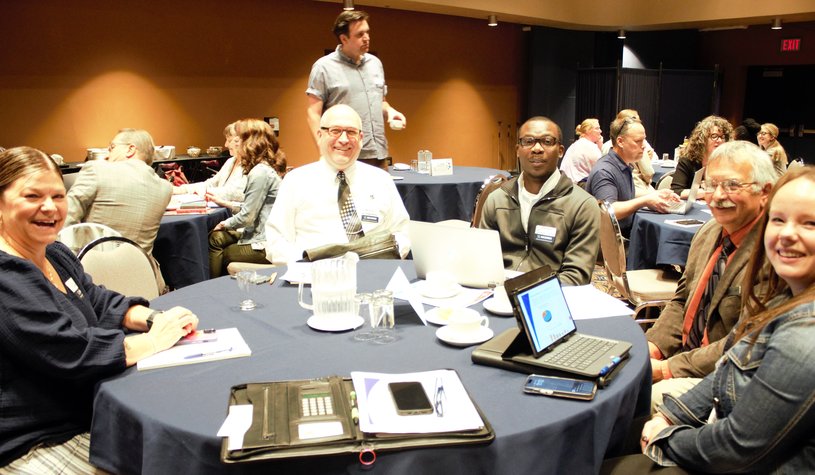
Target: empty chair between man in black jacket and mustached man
642 288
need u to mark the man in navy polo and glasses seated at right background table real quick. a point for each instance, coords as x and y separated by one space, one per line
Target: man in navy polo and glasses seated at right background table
611 179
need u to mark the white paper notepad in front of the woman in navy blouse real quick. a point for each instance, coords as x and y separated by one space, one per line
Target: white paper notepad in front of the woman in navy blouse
230 344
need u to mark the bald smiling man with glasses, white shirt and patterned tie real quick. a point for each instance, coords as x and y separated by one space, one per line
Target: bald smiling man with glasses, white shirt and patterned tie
335 199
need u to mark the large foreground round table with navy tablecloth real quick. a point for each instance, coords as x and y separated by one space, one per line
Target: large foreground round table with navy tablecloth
165 420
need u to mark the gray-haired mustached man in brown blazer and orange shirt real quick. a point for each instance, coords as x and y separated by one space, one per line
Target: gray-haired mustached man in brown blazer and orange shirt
691 332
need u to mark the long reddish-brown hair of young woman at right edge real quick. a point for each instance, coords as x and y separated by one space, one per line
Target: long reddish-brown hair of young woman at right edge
756 314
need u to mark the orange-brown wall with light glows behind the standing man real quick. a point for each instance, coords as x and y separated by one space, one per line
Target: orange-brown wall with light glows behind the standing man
74 72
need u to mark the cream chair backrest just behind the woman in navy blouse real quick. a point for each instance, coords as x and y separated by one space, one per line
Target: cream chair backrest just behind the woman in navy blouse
121 265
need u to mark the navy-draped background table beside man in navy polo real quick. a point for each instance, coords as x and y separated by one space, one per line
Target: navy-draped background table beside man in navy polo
654 242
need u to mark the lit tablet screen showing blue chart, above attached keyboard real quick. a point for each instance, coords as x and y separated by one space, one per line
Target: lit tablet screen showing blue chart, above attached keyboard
544 314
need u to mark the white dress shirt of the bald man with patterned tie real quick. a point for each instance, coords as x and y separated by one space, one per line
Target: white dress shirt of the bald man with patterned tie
306 215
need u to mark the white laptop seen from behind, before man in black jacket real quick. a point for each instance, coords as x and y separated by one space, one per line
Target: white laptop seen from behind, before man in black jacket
471 255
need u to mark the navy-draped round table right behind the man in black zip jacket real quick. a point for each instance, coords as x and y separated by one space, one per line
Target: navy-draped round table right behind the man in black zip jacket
438 198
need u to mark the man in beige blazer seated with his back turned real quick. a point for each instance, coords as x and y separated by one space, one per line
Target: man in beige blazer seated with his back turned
123 192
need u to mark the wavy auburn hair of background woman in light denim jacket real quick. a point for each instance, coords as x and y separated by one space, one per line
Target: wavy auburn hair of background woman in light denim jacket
259 144
